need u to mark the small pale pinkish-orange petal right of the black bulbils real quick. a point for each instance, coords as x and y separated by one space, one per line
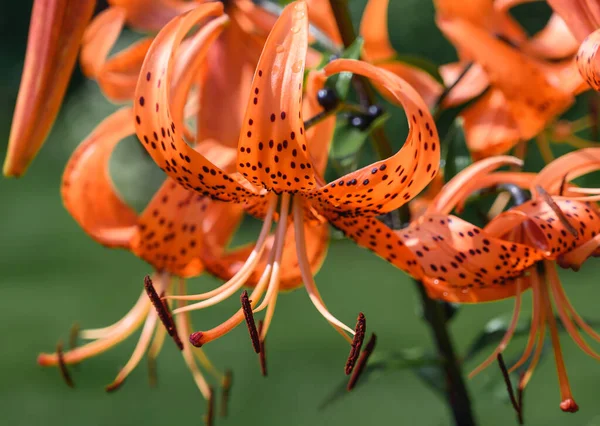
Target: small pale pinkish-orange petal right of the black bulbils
472 84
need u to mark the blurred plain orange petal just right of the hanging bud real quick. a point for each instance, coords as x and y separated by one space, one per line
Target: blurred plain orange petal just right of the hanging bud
99 39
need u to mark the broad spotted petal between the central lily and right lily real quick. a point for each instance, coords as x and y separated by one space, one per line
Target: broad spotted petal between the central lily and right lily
463 263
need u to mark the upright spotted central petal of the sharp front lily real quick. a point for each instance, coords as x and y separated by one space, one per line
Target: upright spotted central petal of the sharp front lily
272 145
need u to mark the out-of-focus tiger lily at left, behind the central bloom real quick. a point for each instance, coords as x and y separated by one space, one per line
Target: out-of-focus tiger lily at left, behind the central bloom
168 235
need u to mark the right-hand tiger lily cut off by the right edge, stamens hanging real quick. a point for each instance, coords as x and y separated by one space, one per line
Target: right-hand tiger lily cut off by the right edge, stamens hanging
554 229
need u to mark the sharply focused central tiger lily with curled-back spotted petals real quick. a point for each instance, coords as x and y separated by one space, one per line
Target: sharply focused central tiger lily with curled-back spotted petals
276 172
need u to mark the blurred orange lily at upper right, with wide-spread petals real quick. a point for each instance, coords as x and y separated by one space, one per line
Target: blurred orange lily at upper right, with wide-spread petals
518 105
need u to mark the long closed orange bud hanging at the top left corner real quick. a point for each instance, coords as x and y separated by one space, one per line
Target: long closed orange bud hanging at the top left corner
55 33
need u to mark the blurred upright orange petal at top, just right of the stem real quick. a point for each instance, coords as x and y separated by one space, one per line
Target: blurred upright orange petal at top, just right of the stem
374 31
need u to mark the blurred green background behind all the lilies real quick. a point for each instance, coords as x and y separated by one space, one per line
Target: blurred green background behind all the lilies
54 275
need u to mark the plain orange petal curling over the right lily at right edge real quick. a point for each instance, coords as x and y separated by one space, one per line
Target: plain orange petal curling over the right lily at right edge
569 166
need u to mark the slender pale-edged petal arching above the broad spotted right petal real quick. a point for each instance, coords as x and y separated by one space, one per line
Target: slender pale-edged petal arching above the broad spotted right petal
465 182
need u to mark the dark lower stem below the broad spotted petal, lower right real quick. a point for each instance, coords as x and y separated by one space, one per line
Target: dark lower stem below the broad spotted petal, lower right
456 390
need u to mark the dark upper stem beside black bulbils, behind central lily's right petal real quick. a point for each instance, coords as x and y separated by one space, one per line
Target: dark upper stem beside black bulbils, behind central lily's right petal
361 85
